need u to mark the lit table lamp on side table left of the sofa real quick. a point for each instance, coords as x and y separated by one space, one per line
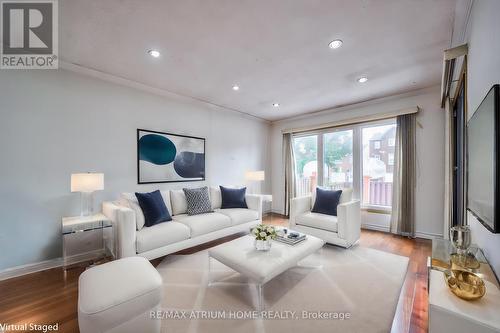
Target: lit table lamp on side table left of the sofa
87 184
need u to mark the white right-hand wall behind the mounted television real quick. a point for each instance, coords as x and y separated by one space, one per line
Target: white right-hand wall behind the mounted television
483 37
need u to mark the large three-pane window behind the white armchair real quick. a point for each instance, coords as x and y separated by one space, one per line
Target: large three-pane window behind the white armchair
360 156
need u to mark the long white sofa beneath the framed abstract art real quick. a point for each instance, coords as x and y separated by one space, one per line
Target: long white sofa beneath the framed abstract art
184 231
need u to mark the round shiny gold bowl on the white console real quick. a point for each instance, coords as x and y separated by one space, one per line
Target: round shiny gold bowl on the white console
466 285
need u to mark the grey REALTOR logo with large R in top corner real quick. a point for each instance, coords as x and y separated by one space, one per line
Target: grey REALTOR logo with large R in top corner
29 34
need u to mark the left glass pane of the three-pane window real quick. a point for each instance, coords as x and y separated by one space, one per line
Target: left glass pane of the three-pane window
305 150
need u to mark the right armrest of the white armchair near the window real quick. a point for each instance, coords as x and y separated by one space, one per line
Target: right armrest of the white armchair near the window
349 221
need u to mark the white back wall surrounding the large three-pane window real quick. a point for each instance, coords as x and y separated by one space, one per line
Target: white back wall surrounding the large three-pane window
430 154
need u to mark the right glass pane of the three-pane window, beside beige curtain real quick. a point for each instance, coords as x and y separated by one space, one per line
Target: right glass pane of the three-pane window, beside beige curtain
378 164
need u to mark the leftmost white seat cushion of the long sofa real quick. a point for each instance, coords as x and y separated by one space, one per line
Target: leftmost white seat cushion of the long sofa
150 238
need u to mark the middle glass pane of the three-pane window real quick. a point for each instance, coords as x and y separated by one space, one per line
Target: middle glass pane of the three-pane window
337 155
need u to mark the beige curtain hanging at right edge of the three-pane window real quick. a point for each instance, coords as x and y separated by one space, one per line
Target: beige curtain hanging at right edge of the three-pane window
404 177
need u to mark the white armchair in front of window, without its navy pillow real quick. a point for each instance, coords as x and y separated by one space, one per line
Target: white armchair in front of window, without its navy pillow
343 230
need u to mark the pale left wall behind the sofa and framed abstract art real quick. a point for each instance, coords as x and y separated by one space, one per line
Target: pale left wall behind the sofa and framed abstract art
54 123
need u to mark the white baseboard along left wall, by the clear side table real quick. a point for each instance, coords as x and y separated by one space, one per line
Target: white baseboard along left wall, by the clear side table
16 271
